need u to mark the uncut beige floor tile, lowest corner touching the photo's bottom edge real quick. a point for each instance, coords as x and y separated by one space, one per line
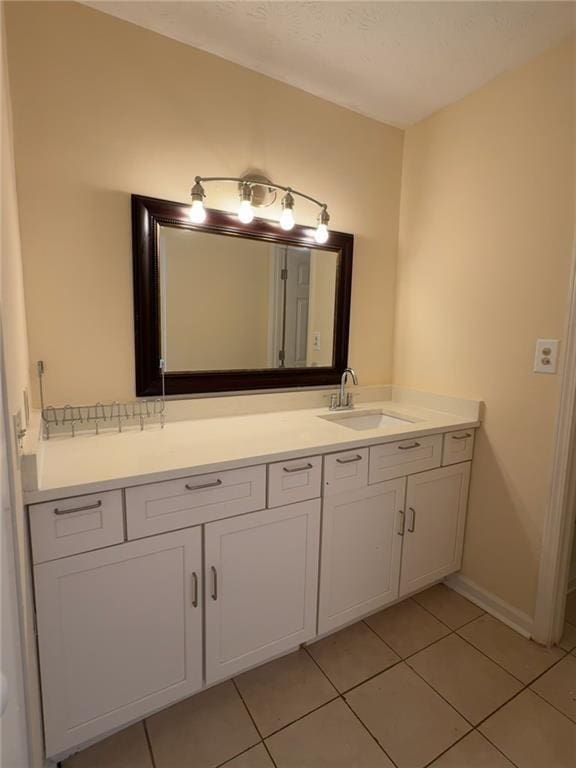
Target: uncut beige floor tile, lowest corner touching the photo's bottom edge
411 722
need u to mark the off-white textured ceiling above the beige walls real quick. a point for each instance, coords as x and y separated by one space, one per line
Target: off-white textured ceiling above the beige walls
394 61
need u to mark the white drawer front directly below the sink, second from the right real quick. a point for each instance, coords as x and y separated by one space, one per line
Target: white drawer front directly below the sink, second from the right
404 457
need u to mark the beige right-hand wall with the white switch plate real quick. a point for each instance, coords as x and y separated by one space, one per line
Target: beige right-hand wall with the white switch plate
485 244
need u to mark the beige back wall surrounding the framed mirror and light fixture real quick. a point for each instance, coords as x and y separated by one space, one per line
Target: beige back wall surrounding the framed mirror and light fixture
103 108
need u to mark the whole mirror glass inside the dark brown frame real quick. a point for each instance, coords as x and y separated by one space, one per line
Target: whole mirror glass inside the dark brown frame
236 303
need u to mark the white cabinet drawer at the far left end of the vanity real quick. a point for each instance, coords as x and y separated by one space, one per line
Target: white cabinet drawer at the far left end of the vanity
80 524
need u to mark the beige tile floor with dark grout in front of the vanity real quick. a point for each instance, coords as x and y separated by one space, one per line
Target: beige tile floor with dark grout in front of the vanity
432 681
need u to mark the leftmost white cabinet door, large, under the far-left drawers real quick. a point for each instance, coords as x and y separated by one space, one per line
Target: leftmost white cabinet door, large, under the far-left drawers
119 633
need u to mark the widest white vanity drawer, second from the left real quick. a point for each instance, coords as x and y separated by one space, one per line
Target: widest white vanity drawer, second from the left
161 507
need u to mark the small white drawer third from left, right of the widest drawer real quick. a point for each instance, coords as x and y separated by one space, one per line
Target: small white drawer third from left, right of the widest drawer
290 481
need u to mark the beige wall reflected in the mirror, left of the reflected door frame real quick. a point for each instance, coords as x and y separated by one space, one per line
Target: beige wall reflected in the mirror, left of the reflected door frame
216 306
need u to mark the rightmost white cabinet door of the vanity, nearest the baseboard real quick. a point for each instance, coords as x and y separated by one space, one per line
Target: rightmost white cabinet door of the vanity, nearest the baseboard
435 517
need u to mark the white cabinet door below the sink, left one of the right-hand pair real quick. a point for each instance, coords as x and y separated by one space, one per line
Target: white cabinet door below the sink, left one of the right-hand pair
361 546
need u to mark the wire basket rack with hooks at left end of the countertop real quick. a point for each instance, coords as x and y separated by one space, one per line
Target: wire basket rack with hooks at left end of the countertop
69 420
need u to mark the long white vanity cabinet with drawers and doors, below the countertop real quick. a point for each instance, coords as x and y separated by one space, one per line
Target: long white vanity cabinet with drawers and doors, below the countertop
145 595
